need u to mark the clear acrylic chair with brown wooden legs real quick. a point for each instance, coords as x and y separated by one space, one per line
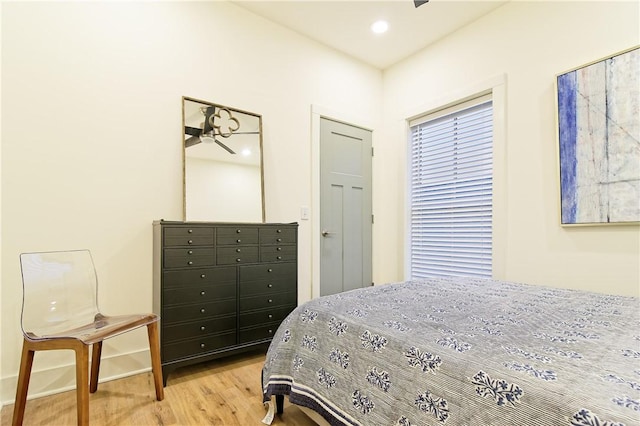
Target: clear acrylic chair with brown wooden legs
60 311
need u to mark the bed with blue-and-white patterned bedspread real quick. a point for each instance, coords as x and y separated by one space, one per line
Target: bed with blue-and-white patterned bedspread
460 351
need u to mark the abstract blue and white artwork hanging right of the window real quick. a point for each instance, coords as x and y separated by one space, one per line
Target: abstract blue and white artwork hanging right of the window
599 137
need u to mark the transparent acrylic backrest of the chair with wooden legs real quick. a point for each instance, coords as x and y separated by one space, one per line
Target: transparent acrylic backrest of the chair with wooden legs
59 291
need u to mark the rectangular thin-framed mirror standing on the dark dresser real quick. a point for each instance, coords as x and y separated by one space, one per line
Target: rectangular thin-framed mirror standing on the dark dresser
223 179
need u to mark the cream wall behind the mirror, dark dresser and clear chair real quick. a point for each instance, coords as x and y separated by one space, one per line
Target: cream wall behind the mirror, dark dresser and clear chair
92 139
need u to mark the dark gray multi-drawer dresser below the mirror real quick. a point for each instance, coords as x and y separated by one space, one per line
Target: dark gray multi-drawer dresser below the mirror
221 288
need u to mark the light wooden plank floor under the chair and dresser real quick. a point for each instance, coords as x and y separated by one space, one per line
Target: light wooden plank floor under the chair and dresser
220 392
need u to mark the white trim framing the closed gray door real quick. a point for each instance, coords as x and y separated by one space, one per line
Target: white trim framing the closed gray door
318 112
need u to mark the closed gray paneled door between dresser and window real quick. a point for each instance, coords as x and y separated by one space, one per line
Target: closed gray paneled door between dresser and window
345 207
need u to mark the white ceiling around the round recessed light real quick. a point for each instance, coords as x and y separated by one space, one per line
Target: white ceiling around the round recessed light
345 24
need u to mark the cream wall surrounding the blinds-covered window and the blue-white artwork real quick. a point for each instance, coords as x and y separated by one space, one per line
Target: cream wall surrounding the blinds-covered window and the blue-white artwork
527 44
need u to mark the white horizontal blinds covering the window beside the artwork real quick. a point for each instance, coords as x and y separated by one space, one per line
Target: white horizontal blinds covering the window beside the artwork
451 193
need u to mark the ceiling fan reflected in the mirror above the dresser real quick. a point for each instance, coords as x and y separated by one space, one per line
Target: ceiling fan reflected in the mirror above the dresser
218 121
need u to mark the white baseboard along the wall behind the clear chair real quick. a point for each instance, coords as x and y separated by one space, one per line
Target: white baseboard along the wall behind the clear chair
61 378
